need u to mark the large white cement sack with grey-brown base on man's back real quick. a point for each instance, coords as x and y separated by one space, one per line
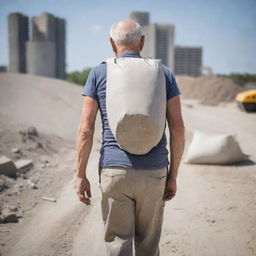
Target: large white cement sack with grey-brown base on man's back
136 102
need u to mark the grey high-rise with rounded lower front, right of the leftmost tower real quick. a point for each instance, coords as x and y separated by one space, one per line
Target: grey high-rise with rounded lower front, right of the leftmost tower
48 40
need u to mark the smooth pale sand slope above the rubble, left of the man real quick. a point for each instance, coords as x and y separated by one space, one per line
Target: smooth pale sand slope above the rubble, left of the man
51 105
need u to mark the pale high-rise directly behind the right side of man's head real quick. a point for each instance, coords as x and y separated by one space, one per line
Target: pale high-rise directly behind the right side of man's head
159 39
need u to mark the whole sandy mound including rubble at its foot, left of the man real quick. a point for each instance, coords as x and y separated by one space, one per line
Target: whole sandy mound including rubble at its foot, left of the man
39 117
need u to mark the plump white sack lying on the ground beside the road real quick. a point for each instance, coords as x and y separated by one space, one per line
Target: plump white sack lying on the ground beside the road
214 149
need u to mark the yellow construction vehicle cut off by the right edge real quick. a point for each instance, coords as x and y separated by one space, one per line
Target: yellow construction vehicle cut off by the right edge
247 100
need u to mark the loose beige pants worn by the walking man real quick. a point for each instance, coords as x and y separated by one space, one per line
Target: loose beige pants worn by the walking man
132 208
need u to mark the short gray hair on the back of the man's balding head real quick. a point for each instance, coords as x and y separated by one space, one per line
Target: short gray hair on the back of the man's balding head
126 34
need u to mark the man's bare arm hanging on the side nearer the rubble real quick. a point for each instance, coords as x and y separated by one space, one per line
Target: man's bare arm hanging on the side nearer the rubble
84 145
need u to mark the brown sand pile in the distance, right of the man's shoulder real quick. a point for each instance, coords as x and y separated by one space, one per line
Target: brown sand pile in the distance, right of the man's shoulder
209 90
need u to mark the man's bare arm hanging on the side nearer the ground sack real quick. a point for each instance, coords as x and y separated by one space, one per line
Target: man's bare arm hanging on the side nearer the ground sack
177 143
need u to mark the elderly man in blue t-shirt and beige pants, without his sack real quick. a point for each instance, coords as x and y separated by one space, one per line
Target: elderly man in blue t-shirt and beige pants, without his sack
134 187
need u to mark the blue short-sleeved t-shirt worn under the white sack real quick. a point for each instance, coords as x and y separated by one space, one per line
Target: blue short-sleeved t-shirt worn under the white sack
111 154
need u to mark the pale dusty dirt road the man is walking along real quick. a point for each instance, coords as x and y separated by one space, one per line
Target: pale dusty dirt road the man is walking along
213 213
